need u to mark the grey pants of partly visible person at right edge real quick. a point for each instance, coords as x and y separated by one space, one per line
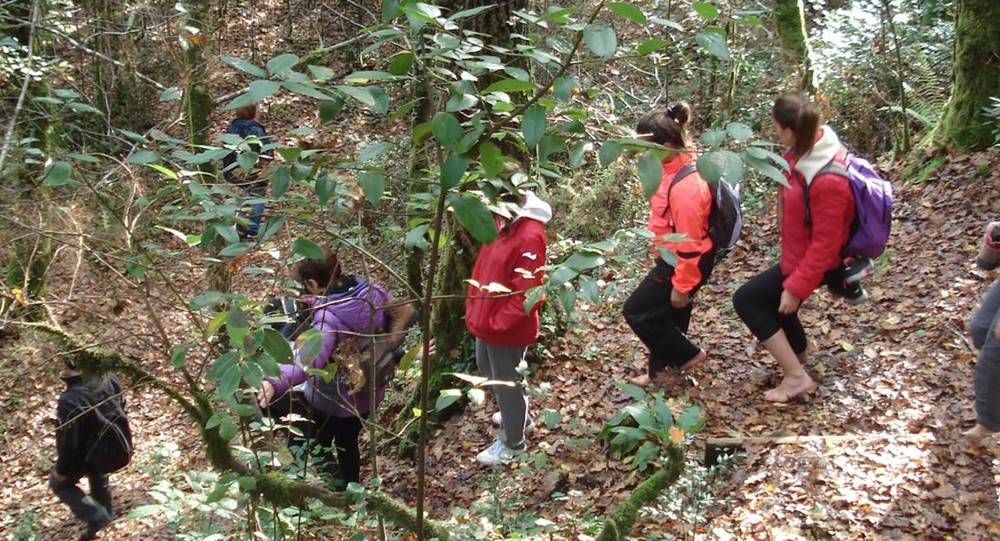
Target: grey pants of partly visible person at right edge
988 367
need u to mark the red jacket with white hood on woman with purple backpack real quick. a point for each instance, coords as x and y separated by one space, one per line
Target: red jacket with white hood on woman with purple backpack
807 253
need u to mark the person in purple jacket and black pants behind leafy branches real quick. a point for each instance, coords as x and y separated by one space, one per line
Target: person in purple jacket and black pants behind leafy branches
348 311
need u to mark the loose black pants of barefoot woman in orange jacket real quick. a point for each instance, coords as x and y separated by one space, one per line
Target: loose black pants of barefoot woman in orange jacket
660 326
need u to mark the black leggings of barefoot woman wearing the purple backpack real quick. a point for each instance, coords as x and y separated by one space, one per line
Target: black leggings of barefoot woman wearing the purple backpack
757 304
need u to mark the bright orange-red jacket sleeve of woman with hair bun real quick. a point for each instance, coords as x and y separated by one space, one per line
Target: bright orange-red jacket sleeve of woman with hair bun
690 204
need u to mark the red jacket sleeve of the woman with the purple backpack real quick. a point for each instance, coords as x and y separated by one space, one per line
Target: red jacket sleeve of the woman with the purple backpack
830 202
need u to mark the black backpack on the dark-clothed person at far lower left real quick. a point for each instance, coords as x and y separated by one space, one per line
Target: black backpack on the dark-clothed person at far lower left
109 439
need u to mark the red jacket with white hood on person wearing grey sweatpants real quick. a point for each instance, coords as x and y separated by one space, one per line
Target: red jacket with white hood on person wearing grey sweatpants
512 261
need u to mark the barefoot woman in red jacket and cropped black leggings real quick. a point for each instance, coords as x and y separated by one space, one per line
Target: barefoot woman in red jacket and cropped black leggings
810 255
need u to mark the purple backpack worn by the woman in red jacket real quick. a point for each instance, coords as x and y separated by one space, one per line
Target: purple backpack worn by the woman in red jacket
872 206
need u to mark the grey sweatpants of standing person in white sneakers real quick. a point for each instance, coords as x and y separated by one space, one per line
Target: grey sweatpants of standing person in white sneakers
500 363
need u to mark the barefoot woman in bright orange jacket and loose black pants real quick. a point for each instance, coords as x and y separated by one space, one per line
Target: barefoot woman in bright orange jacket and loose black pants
659 310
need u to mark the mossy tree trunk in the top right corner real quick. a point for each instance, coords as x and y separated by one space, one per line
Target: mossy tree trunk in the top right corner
976 77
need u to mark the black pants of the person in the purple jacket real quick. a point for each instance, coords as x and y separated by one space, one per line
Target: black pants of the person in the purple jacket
326 430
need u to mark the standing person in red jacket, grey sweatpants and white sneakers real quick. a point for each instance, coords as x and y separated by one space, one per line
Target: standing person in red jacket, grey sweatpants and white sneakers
495 314
